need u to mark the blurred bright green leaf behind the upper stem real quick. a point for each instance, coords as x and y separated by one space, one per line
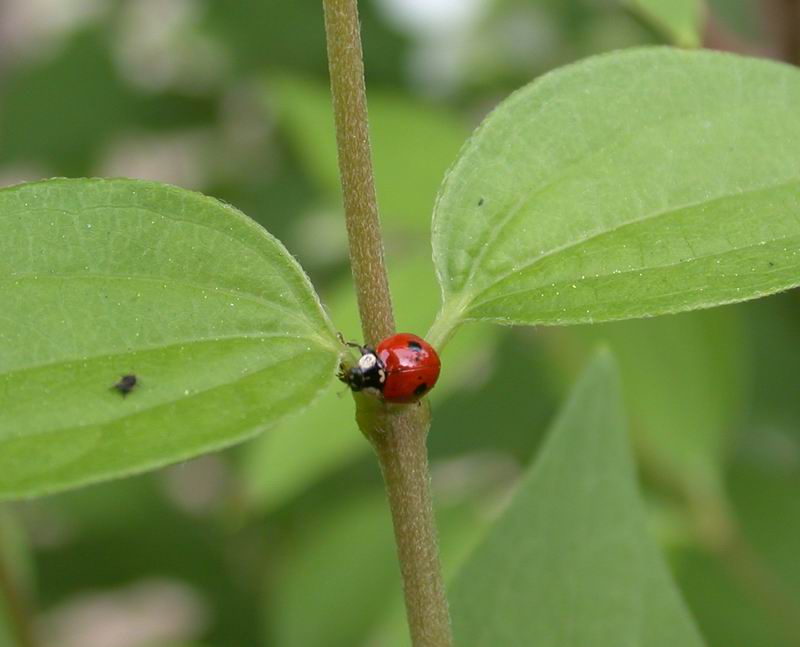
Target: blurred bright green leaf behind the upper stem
412 145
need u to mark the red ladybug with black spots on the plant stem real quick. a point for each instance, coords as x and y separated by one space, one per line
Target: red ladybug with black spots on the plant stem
402 368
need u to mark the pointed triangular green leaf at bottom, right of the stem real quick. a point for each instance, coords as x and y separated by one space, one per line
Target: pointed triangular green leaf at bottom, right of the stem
570 562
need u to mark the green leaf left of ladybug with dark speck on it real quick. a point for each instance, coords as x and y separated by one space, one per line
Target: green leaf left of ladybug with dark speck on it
110 277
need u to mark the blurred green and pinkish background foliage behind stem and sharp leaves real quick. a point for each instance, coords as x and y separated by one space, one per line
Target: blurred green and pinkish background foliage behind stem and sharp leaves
286 540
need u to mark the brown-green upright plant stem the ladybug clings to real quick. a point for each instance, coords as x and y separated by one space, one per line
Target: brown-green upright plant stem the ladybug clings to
397 433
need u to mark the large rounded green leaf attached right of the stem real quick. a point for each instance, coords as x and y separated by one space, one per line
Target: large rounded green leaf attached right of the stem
632 184
